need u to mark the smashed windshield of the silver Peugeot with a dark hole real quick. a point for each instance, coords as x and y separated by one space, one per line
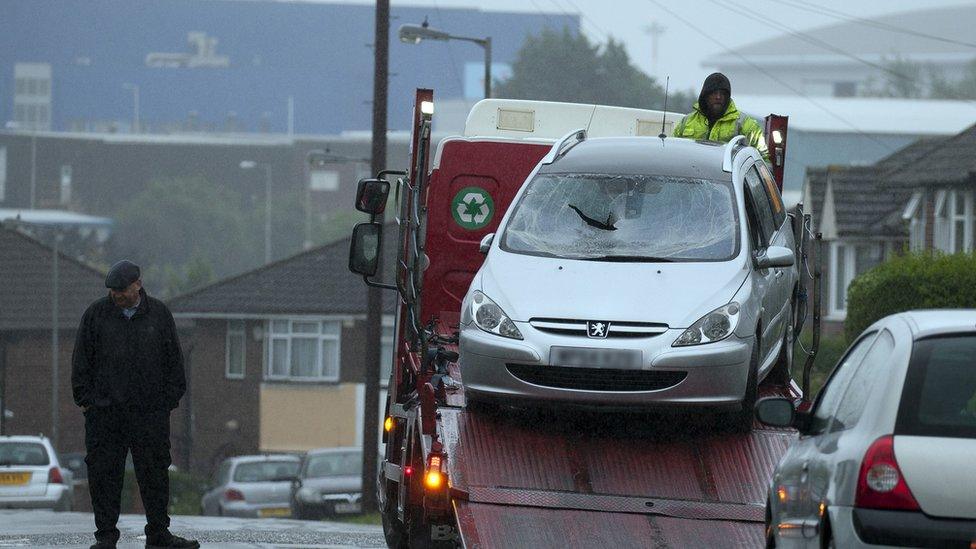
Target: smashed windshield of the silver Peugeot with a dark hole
625 218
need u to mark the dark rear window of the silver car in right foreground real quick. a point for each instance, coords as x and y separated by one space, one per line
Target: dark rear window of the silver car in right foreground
939 398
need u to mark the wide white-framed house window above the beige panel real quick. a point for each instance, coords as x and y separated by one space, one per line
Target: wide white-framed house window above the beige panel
304 350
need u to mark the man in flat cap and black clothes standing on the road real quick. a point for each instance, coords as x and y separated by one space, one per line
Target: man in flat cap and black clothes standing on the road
127 374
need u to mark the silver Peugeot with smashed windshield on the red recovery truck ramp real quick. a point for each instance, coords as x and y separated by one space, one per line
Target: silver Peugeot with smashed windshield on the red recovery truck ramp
635 271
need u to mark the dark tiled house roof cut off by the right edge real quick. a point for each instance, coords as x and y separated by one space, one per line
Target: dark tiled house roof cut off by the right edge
953 162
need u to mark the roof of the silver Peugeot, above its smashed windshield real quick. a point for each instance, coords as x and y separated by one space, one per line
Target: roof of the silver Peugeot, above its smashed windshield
644 155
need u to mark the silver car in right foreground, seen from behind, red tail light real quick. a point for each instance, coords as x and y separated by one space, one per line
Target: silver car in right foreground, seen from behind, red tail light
886 455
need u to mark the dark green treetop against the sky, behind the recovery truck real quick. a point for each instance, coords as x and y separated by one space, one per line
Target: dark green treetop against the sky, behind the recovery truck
566 66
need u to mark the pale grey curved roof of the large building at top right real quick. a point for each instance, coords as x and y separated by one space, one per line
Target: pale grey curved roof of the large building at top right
868 39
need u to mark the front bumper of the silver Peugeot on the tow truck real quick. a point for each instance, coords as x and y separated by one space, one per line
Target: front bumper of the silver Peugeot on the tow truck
715 373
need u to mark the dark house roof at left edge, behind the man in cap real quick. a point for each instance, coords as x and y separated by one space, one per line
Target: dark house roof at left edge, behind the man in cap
26 279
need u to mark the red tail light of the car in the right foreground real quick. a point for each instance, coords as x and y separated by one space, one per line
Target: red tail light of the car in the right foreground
881 484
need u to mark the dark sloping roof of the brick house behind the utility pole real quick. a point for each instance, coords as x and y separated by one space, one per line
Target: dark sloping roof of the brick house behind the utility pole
314 282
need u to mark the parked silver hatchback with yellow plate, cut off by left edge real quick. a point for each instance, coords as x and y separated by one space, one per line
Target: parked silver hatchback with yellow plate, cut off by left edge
30 475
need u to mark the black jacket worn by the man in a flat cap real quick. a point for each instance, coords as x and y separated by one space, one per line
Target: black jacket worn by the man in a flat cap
121 361
